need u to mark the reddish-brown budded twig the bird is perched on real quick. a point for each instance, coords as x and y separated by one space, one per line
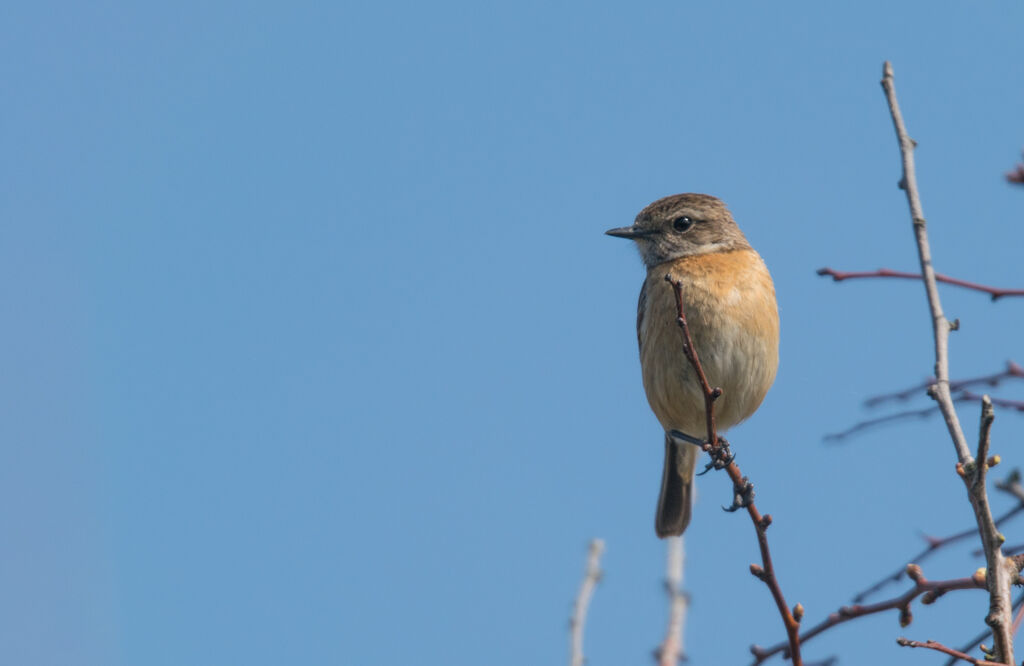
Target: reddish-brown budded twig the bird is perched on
744 490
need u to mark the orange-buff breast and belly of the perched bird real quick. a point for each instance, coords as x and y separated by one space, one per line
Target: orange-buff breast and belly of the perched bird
730 303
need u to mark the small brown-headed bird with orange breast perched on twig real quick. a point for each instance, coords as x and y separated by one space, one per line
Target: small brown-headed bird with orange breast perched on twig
730 302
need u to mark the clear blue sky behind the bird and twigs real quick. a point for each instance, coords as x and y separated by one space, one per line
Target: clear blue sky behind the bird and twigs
315 353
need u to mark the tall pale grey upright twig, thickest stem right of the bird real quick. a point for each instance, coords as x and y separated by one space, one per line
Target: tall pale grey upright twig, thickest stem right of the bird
999 575
